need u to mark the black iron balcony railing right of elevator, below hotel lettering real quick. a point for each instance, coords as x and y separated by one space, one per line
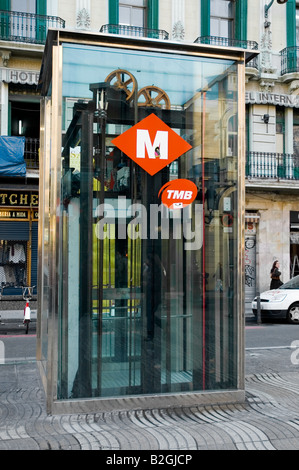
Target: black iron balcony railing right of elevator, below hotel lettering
279 166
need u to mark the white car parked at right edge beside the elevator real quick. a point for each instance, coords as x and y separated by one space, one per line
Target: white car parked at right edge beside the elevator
282 303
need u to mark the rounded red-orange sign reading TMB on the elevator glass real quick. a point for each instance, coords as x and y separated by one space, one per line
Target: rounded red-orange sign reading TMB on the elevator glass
177 194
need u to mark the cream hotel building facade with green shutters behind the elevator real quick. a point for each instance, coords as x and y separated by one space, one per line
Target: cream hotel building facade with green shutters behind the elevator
271 161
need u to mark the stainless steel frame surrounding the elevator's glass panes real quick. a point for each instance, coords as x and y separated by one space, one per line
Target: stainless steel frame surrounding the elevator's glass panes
50 167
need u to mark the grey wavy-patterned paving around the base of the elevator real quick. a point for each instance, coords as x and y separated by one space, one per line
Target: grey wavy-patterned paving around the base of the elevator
268 420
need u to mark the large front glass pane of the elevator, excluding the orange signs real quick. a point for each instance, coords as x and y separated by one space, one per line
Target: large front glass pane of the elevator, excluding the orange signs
149 293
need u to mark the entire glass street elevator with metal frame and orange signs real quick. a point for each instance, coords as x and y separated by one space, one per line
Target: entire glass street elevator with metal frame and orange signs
141 236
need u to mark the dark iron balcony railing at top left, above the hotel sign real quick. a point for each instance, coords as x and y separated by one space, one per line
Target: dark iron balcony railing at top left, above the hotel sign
27 27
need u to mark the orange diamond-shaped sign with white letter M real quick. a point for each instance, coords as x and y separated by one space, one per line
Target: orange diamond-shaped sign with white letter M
151 144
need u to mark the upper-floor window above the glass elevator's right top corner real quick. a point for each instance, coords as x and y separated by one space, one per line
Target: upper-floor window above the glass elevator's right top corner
222 18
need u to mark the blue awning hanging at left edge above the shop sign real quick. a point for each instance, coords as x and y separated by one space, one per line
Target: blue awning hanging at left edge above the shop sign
12 161
